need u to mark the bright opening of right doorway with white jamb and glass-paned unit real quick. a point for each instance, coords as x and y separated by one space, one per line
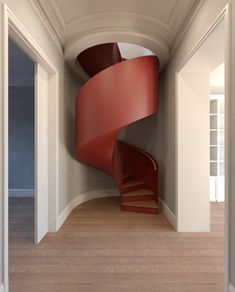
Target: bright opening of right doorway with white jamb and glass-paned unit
200 128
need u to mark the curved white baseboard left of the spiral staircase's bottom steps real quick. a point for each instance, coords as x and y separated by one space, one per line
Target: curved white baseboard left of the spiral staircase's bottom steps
103 193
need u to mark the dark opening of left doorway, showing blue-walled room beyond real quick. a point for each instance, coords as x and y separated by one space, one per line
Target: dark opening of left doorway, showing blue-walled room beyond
21 129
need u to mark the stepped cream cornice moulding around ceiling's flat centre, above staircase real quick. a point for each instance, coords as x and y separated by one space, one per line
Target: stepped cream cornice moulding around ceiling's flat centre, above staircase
96 27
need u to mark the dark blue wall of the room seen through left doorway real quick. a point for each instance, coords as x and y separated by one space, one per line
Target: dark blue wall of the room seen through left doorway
21 138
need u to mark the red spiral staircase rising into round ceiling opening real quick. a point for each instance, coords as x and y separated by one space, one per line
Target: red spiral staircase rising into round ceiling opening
118 93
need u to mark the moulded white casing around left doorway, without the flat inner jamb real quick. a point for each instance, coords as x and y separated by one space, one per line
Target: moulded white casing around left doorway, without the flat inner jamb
10 26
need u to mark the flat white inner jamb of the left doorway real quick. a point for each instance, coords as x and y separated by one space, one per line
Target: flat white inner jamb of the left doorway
41 173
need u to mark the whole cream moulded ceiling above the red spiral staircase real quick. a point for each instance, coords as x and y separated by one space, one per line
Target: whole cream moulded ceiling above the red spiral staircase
153 24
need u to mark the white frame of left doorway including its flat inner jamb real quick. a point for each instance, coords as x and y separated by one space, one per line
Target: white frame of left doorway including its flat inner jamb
46 134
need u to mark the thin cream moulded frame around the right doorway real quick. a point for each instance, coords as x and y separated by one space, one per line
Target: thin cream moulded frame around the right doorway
225 15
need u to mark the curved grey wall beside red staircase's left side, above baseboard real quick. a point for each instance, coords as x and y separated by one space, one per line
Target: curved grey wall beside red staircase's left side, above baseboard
80 178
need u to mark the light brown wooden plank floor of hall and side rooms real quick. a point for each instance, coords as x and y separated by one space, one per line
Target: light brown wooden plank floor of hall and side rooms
100 248
